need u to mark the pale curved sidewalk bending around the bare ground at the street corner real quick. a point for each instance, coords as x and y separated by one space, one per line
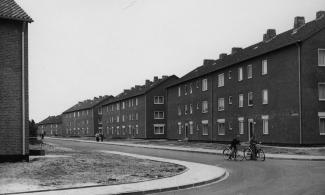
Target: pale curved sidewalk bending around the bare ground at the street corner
195 175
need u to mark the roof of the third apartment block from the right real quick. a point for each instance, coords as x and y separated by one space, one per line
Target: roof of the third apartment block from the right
87 104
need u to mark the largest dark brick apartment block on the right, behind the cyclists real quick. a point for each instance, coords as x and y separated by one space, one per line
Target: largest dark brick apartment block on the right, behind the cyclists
273 90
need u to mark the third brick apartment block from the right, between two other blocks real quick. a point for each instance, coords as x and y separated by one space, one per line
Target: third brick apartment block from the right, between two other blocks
84 118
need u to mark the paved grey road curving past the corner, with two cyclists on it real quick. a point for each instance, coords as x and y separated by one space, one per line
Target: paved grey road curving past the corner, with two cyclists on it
246 177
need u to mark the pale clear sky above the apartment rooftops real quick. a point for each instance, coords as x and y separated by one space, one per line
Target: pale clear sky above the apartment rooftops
79 49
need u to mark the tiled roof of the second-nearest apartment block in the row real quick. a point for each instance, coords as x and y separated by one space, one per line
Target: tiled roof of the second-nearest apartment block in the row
139 90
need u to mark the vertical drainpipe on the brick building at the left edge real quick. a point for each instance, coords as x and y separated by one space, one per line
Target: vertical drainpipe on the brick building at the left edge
23 84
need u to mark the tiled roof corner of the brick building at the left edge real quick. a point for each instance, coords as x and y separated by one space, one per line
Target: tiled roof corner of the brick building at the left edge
9 9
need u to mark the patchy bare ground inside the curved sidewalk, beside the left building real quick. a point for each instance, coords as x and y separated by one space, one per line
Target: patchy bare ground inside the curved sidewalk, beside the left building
80 168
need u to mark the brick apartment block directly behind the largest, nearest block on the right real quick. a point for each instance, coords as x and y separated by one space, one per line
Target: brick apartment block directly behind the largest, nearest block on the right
139 112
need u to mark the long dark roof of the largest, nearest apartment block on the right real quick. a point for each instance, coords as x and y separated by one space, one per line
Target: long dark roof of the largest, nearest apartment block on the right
284 39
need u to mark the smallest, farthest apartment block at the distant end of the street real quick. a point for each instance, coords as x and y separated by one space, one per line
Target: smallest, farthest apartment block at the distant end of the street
51 126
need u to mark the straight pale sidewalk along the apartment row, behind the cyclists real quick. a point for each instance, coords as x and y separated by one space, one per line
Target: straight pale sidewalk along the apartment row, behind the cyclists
199 150
